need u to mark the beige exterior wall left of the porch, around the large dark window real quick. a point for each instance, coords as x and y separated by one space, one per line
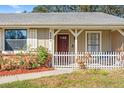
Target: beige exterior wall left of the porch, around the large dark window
35 38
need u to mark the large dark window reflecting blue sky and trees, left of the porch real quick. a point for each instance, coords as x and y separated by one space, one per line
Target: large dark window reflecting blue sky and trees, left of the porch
15 39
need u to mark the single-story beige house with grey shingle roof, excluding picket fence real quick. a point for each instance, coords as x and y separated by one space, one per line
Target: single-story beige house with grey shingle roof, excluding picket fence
61 32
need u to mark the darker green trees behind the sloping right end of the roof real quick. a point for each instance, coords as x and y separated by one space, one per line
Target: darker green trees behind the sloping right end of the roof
109 9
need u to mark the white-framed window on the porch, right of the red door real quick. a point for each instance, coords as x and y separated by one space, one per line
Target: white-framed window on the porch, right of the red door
93 42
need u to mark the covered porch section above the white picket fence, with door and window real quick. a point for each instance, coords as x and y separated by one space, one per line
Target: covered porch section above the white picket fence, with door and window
85 40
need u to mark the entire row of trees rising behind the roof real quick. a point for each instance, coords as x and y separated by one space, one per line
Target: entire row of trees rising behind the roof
116 10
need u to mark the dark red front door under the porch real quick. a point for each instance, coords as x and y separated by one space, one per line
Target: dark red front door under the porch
62 43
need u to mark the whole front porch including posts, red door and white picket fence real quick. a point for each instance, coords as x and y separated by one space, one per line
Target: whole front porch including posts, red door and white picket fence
102 44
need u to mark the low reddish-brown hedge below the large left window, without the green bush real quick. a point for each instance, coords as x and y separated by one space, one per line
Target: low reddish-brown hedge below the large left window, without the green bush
22 61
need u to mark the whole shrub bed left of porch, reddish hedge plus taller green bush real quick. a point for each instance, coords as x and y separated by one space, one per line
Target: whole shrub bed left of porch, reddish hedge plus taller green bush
25 61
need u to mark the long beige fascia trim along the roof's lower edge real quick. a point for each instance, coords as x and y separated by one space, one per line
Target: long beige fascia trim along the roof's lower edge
88 26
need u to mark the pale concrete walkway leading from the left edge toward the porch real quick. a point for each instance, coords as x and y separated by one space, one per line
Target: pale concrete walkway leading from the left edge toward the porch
9 79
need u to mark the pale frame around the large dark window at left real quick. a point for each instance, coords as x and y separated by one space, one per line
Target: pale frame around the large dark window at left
14 29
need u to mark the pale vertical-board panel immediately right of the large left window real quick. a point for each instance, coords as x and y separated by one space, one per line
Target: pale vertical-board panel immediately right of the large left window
32 38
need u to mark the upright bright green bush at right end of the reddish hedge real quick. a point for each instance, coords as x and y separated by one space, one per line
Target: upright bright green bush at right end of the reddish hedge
42 55
